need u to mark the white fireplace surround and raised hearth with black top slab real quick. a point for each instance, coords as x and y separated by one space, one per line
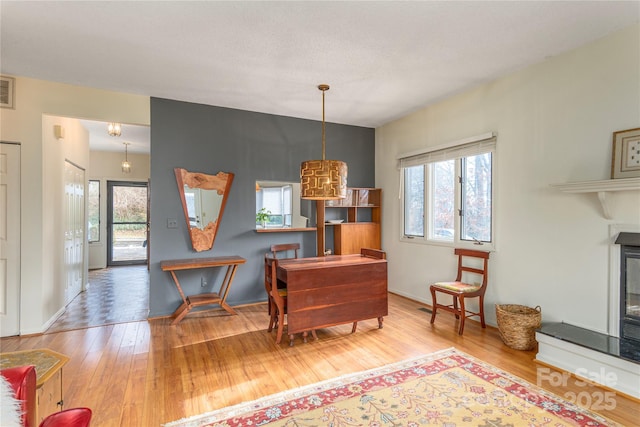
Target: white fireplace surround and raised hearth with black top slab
598 355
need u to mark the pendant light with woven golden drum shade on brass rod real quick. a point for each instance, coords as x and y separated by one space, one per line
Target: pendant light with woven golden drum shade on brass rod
323 179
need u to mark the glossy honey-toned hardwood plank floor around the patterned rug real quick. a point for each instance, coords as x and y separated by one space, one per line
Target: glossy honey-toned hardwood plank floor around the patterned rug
147 373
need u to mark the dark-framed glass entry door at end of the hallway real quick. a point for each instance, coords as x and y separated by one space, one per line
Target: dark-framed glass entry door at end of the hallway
127 223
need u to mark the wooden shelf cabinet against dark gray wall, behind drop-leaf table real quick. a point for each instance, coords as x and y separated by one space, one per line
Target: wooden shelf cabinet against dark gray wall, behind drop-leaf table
361 215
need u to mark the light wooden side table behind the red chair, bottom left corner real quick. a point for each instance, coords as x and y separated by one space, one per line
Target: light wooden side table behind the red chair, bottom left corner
48 365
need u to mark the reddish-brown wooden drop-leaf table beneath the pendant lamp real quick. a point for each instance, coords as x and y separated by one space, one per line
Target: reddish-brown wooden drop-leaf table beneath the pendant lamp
332 290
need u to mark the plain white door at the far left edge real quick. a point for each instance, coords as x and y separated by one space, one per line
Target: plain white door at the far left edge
9 239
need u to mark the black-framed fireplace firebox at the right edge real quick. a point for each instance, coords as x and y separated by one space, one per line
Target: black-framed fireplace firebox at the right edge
629 285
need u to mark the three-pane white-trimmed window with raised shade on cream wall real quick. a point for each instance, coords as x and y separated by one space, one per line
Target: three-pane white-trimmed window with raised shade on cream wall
447 193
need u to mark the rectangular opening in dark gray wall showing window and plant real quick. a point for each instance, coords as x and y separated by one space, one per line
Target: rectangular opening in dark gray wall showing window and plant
278 205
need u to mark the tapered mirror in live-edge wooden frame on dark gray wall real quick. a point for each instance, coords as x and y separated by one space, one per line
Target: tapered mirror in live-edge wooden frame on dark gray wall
203 200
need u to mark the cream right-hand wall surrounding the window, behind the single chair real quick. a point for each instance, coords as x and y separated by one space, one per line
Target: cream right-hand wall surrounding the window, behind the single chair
554 122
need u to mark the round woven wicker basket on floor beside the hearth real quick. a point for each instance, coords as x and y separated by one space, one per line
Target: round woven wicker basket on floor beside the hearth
517 325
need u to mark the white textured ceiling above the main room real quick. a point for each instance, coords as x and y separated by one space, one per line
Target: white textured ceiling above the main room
383 59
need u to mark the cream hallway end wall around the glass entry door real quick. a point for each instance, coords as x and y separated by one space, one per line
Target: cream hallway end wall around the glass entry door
106 166
